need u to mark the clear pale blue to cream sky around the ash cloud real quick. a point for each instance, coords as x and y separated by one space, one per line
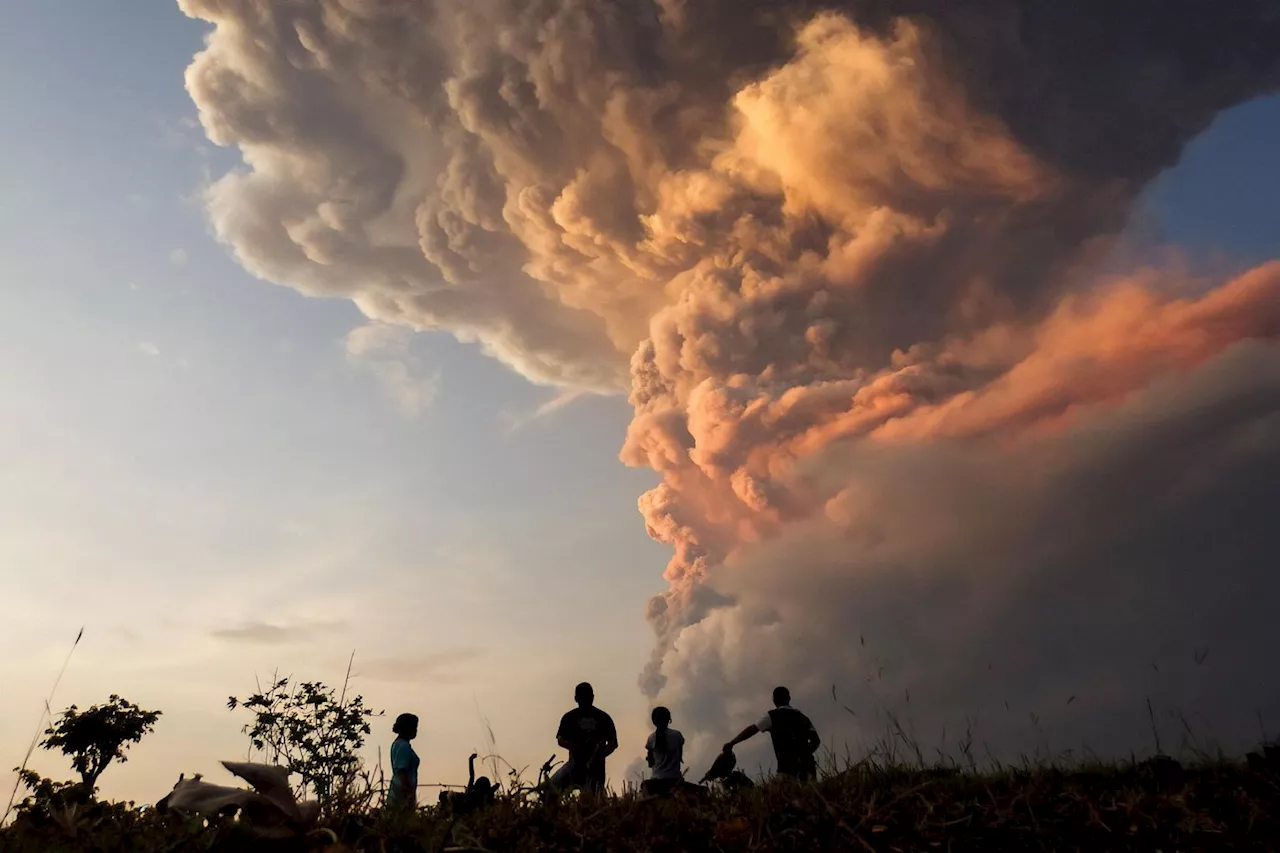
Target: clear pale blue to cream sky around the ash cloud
191 453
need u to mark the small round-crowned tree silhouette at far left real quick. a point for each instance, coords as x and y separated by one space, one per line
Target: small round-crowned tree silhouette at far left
93 740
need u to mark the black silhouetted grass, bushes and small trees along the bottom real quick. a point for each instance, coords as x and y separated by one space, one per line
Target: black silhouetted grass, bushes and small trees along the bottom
888 797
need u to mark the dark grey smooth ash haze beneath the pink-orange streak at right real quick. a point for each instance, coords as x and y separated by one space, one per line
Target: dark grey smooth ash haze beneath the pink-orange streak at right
1130 560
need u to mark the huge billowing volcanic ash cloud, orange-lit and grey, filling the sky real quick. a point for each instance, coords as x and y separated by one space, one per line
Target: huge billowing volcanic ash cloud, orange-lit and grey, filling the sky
843 257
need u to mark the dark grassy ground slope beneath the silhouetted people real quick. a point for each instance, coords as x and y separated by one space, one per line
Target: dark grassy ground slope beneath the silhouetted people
1158 805
